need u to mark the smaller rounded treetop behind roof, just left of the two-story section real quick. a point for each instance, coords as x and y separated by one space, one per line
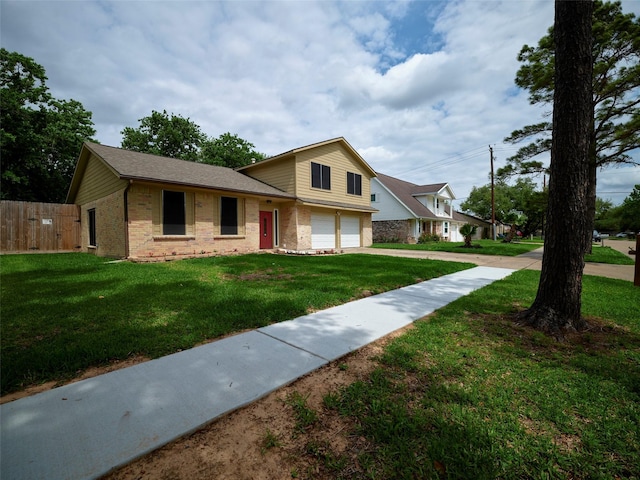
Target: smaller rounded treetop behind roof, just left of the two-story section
229 151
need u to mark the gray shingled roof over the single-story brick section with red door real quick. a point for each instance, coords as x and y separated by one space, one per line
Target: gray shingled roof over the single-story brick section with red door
142 166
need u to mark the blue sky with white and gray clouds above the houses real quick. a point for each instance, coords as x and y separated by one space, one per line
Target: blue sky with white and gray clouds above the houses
419 88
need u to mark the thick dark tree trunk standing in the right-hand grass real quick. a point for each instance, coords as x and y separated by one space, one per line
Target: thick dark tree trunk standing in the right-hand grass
557 307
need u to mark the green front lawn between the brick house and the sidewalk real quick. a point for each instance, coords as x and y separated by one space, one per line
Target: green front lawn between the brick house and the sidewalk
62 314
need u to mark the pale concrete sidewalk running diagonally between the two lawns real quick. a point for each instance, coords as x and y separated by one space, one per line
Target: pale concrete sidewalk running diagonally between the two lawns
86 429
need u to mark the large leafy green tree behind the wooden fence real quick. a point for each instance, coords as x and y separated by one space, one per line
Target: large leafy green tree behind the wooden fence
40 136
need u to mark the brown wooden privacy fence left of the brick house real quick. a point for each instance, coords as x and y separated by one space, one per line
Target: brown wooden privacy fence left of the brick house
39 227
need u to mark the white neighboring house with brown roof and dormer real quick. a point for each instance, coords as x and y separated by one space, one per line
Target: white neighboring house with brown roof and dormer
406 210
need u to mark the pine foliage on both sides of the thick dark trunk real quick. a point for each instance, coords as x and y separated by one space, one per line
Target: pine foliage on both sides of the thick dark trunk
615 128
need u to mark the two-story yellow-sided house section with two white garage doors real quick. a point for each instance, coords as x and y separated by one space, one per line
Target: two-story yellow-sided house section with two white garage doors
332 186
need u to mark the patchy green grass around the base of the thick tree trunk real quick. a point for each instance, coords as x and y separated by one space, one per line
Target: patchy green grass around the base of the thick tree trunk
468 394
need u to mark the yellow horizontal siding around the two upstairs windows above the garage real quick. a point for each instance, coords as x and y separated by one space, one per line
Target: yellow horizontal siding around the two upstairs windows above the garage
341 162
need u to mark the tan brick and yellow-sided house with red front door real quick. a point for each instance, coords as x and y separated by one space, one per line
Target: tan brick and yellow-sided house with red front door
140 206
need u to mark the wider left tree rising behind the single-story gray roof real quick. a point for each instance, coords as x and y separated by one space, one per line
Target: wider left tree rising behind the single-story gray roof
165 135
